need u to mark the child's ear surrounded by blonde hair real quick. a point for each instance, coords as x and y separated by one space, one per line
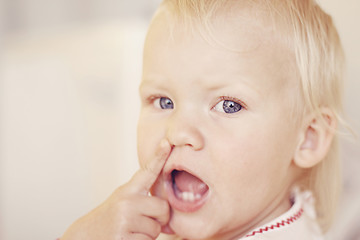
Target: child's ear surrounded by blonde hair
315 139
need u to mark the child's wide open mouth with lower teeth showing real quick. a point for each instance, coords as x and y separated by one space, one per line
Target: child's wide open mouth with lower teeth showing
186 192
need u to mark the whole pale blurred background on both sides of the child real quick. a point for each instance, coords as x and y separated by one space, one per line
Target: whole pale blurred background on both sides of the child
69 71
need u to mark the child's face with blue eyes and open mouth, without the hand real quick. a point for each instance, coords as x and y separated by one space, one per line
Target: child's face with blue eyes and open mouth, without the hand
228 116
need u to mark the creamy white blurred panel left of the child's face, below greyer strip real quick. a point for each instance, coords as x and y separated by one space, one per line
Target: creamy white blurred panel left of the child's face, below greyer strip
68 121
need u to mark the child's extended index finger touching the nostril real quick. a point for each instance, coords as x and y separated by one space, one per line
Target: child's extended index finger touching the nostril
146 176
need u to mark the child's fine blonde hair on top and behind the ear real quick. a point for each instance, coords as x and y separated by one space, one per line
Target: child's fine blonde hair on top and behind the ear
313 38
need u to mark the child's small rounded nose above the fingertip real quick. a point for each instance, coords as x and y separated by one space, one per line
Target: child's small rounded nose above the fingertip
185 130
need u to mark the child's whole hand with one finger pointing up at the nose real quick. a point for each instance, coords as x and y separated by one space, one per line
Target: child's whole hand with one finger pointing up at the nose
130 212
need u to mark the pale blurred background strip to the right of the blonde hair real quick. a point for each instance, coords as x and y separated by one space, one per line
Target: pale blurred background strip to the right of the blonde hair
347 19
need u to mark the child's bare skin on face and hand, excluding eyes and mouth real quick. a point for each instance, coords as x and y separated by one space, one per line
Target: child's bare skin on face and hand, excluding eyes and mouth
246 158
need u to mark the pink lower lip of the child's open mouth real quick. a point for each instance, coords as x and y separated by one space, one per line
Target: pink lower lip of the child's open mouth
179 204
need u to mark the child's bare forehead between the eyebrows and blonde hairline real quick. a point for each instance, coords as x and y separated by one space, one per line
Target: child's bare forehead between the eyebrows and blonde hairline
241 40
